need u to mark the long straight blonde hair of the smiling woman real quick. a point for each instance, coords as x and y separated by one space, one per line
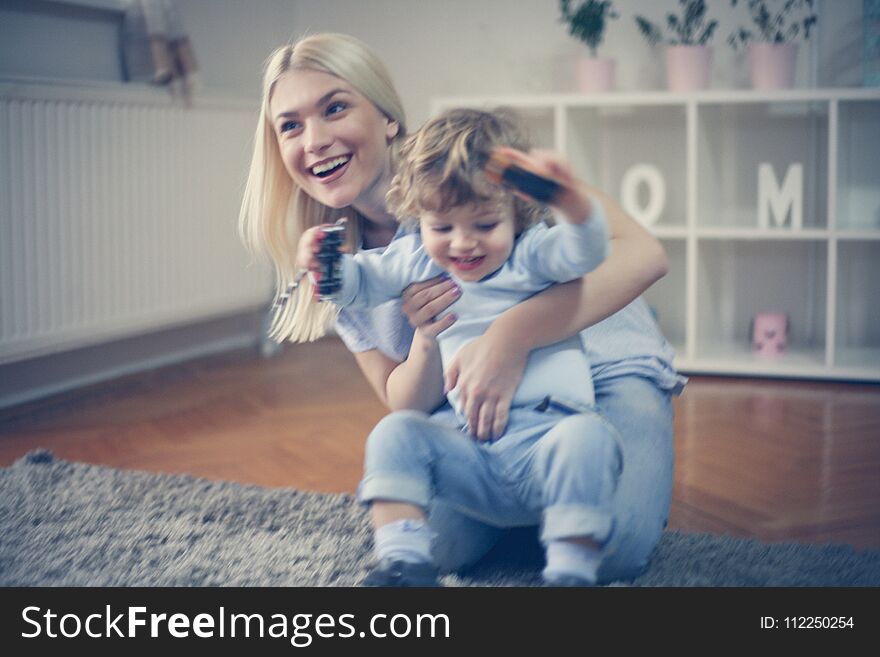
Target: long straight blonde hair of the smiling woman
275 211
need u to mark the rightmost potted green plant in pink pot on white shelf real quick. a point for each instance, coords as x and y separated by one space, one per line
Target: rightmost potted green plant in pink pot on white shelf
772 48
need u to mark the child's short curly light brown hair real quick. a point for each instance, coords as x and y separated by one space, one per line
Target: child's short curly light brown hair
441 165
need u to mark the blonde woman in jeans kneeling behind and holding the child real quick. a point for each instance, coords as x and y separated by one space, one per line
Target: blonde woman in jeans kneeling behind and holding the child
325 147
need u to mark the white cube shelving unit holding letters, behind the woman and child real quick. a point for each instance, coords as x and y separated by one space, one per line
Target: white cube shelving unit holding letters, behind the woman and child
724 268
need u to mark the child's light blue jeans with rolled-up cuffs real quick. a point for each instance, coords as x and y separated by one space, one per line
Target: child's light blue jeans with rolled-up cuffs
555 466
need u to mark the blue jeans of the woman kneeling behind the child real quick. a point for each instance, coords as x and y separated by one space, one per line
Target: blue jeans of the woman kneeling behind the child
641 415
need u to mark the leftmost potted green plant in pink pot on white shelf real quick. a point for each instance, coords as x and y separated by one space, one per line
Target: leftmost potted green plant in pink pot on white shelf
587 23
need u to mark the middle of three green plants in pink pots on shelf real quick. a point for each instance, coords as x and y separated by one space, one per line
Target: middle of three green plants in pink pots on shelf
688 53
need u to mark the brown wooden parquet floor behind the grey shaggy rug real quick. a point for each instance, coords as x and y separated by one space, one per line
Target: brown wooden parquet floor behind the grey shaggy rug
776 460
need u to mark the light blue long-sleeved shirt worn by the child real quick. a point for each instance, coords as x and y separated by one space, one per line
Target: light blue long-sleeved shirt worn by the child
541 256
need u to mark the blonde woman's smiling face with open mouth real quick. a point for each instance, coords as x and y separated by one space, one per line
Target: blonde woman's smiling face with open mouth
333 141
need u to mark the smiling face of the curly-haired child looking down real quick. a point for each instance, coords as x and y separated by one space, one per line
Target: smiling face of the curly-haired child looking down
470 241
